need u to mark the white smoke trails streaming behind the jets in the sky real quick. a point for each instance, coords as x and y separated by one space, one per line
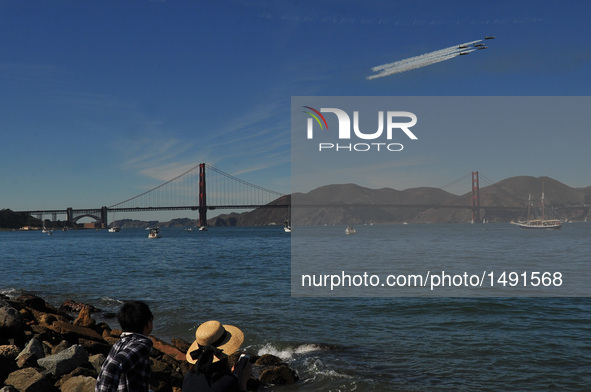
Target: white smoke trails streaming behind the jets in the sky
422 60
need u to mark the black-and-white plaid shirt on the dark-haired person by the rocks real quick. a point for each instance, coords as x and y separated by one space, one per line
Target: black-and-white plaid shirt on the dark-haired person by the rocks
127 367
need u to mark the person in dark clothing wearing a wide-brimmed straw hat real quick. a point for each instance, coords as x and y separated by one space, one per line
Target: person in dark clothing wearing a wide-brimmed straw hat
209 353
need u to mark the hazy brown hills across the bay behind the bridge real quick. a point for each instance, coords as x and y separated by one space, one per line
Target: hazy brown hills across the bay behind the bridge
329 205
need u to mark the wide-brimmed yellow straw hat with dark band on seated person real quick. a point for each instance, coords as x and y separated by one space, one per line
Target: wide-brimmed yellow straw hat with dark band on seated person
212 333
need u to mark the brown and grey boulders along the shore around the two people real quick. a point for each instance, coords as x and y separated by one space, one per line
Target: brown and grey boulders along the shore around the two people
43 348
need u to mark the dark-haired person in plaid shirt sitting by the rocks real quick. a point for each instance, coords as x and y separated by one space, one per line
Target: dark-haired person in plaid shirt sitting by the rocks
127 367
